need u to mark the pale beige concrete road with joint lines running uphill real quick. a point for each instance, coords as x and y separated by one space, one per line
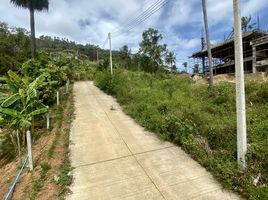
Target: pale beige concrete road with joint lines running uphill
114 158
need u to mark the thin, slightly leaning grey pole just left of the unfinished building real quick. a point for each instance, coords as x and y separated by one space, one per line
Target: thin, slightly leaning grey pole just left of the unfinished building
208 43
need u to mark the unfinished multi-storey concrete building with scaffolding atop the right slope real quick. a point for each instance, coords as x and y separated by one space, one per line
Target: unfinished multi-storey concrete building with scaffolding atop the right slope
255 53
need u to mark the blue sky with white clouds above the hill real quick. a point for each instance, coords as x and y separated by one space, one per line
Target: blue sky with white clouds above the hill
180 22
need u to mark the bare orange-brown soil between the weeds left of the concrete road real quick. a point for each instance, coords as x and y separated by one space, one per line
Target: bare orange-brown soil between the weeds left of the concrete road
50 189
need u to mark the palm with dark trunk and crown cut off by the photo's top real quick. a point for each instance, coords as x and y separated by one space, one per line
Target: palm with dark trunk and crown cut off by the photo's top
32 5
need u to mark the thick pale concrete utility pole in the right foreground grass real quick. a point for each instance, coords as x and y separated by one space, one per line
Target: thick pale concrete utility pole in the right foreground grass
240 89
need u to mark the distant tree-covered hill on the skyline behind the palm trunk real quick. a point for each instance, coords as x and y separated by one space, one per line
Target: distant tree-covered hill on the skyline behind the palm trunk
15 47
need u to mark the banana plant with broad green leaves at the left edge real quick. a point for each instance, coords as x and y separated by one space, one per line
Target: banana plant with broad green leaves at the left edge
20 104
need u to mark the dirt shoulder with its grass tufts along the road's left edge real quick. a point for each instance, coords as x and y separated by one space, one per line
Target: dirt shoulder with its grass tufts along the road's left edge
50 154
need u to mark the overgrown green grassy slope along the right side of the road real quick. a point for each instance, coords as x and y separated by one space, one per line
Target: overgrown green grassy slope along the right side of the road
201 120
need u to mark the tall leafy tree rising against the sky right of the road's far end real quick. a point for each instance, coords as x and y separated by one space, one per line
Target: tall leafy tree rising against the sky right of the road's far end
150 46
